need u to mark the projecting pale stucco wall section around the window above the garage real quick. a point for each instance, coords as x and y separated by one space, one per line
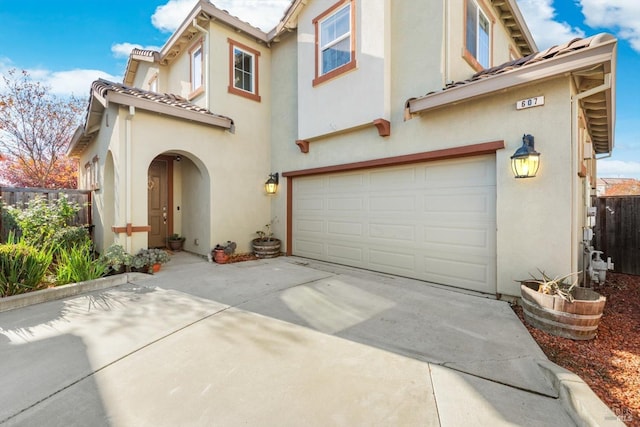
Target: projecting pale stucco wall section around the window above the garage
358 96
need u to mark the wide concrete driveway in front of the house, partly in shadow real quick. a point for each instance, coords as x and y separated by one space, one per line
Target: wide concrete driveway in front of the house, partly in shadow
281 342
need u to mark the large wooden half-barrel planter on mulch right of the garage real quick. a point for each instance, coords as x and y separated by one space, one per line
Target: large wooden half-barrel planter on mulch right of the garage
577 320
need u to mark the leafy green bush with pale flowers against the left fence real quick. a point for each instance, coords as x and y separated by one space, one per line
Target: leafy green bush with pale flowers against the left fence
41 219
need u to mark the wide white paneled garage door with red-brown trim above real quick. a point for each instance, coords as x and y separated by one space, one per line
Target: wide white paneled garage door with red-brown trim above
431 221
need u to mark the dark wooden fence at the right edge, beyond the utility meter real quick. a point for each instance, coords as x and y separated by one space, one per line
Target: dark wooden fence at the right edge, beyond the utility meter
617 231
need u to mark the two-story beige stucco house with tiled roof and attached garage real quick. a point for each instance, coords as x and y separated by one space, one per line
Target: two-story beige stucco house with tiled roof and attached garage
391 124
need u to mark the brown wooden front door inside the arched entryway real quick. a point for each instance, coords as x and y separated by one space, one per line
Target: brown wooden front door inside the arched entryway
158 203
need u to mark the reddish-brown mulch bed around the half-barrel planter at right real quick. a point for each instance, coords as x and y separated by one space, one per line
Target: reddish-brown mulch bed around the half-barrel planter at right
610 363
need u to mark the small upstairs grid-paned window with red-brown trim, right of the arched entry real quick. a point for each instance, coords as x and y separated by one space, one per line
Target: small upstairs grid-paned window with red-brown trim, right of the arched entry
243 70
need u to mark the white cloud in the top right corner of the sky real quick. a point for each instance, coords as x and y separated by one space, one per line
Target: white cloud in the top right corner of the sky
623 16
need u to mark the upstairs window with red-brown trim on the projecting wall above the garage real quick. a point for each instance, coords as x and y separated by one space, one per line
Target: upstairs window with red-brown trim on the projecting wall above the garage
335 41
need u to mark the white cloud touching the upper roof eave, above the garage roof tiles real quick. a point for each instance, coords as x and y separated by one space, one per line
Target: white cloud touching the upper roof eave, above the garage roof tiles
546 31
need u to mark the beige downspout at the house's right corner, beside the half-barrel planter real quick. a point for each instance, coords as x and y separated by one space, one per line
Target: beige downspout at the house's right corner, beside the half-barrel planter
575 110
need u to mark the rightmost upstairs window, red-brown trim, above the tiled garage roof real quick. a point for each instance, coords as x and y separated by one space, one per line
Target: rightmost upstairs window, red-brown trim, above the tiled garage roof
478 36
